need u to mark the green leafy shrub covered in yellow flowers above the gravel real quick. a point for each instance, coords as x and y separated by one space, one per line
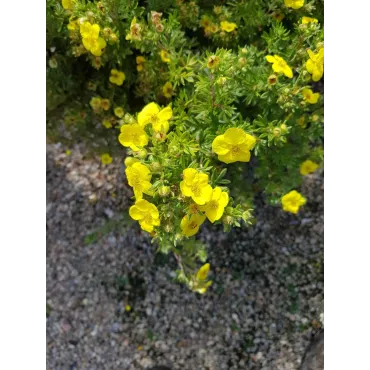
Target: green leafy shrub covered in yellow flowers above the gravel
213 102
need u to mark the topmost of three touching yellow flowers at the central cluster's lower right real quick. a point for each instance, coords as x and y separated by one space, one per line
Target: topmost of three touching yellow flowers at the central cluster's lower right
195 185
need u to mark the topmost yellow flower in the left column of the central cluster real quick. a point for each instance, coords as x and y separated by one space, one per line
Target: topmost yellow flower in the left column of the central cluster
158 118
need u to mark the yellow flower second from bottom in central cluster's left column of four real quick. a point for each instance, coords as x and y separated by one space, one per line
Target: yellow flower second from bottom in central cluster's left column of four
139 176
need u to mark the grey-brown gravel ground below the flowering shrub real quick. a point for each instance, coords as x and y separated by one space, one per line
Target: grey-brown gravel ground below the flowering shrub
260 313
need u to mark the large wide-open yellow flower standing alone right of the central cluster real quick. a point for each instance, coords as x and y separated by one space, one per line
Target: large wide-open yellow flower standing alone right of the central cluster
233 146
